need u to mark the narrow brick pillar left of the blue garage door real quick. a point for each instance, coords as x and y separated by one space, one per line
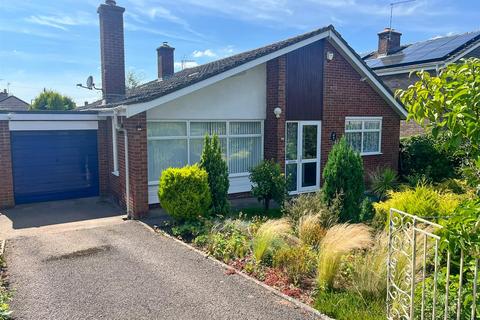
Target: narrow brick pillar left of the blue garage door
6 179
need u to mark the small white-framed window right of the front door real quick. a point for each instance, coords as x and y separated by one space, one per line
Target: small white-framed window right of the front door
364 134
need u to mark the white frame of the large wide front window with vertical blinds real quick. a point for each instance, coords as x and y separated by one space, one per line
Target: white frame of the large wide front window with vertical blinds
227 135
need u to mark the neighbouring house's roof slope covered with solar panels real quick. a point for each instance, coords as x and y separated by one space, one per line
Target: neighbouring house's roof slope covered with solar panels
438 49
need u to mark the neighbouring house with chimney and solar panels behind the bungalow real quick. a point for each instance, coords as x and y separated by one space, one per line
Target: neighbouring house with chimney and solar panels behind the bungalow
393 61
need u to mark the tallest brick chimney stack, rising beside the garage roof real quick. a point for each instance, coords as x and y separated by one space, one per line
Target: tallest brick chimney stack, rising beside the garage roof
112 50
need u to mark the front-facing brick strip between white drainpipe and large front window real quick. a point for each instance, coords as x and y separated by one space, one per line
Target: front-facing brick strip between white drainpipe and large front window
138 163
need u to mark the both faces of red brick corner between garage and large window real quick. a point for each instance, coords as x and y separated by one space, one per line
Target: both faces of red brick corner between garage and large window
138 167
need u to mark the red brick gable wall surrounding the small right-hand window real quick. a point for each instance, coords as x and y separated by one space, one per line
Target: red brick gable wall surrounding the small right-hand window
345 95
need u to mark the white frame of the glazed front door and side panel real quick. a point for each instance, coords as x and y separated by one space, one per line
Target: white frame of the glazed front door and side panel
299 161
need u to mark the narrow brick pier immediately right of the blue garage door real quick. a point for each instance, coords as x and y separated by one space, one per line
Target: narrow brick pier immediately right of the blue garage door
103 170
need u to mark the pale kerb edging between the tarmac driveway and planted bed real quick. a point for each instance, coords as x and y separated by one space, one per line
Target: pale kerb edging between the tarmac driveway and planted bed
295 302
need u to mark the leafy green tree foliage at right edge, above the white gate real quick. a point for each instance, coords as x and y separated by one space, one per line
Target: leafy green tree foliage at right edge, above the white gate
449 105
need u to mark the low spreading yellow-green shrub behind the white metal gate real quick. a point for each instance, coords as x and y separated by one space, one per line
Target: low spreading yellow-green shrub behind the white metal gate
423 201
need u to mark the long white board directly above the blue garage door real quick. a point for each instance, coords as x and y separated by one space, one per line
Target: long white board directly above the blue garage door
52 125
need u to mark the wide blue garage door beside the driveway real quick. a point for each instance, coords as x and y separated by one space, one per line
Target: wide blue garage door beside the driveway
54 165
